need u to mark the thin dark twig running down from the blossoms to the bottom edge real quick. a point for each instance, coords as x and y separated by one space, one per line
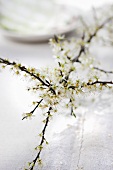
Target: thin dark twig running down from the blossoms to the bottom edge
42 139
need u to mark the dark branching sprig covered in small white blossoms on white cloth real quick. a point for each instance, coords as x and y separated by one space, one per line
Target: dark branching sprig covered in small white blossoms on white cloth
61 86
